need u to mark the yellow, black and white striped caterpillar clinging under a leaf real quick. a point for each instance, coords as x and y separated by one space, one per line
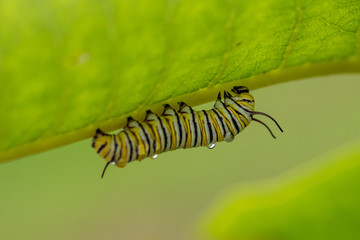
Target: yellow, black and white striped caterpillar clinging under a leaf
184 128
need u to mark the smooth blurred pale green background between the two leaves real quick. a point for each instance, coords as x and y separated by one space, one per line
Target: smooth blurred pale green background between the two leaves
59 194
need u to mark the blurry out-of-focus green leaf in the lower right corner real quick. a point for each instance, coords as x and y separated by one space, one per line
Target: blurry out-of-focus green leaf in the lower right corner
320 203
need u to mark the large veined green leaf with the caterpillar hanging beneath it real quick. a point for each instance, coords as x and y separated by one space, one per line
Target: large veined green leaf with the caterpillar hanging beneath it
69 67
